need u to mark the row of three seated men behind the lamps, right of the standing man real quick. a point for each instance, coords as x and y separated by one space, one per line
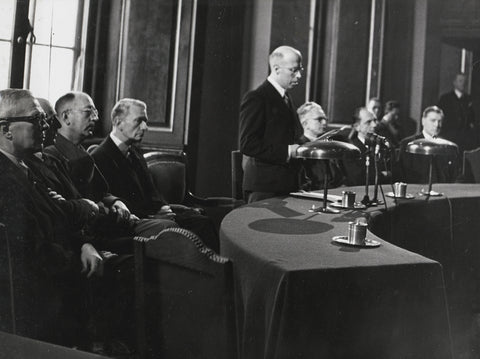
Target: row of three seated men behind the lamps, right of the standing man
393 165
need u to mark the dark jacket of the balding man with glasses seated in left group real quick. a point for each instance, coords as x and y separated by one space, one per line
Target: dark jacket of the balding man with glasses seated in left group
80 167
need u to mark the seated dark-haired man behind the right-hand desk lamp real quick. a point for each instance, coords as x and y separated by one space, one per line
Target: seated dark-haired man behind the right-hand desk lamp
415 168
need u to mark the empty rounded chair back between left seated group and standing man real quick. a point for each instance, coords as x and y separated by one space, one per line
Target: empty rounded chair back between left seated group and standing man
169 172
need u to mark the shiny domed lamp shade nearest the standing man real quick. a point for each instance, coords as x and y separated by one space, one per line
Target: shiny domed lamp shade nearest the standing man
328 150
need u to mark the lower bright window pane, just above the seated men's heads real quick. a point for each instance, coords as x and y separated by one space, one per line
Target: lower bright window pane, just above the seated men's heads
51 74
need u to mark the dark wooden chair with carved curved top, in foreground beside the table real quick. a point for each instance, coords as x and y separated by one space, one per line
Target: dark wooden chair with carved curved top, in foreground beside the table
184 298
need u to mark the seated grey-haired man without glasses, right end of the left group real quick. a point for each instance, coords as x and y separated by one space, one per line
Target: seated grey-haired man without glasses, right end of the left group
128 176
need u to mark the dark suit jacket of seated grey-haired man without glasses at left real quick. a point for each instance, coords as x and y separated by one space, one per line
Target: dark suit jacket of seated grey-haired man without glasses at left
129 179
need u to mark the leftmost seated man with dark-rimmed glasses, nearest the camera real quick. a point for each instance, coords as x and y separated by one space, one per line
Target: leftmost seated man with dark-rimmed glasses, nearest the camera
48 247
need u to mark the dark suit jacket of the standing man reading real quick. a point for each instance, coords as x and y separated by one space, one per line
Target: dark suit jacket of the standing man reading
267 126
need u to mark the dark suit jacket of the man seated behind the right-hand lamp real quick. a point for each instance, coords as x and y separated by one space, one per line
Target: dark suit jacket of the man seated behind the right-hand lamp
415 168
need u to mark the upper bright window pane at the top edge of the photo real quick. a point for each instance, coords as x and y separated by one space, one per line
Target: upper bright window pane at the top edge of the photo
58 16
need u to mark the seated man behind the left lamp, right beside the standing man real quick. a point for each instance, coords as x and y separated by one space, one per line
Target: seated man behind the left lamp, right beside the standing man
314 123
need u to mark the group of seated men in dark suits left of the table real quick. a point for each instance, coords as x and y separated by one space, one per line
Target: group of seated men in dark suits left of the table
72 217
